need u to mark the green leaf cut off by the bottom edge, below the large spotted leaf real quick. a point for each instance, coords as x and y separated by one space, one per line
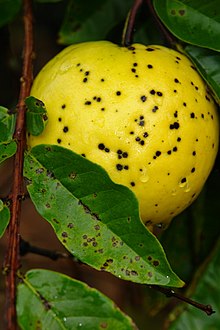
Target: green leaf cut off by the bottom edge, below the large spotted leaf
59 302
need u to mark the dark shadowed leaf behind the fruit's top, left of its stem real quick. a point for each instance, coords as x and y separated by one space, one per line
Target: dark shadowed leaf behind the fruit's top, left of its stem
84 22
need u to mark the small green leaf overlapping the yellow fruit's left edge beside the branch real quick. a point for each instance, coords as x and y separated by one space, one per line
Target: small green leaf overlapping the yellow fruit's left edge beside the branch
36 116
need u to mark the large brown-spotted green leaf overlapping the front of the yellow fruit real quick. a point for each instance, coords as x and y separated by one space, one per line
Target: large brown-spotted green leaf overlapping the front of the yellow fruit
97 220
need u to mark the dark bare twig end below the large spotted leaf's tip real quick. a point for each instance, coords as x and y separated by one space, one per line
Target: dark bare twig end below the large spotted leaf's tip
171 293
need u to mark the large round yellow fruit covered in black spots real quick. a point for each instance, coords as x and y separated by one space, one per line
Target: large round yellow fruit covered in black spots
143 113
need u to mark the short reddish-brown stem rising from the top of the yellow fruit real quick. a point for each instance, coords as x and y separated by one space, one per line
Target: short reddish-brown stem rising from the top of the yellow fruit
127 37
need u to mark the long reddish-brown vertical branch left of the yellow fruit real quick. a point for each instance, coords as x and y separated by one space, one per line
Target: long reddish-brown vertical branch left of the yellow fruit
12 258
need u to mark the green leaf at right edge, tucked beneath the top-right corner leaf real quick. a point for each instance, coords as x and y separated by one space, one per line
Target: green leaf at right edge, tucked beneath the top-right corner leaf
207 63
